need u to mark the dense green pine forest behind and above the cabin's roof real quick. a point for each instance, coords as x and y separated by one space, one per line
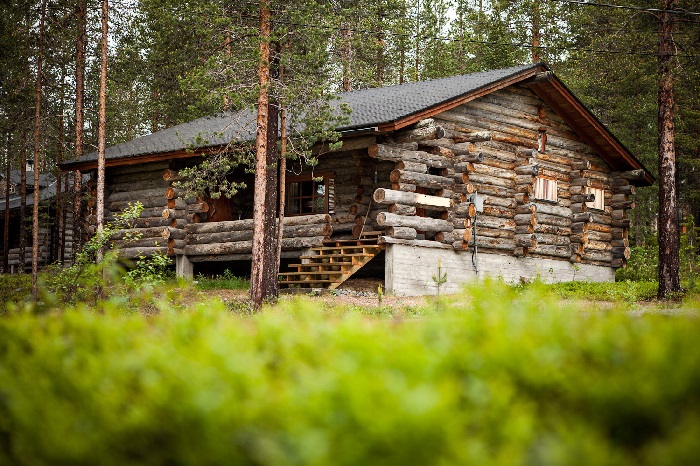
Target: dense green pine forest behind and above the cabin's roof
171 62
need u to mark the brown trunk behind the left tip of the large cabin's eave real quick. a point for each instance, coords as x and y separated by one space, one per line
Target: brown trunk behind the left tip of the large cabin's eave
80 13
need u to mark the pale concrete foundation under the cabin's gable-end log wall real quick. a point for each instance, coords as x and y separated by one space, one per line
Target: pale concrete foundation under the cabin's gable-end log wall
409 269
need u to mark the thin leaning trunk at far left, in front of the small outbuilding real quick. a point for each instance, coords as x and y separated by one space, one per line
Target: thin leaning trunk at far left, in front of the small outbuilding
37 154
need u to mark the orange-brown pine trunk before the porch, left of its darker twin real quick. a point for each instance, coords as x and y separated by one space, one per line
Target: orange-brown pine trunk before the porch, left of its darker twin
257 272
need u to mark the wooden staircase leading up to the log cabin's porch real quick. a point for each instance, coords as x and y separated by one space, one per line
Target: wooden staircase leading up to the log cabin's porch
330 265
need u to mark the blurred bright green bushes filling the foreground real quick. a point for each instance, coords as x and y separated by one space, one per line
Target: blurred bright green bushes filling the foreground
498 377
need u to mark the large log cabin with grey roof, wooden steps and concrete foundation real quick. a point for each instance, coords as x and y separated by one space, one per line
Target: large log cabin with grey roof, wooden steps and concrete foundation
503 173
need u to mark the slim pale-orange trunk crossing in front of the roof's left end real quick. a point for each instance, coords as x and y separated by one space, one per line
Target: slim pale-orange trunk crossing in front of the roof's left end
102 120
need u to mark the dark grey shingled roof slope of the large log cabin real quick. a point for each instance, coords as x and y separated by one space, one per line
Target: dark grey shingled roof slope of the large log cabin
370 107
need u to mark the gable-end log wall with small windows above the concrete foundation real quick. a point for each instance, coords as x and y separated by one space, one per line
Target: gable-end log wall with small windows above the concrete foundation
491 146
